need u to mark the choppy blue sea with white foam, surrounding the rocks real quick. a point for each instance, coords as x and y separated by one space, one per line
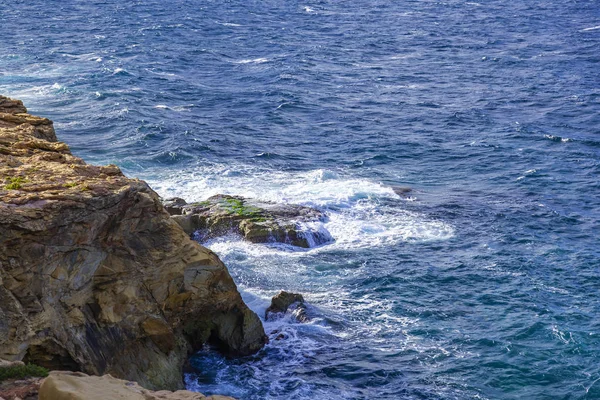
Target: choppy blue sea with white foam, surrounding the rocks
483 283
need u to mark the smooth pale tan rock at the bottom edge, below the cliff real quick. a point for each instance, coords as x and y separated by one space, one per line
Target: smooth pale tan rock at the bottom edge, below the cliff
78 386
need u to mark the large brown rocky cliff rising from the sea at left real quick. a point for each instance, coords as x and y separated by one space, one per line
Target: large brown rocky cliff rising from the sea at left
95 276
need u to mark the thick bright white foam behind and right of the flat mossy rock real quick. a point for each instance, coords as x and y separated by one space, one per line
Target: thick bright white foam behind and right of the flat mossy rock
357 219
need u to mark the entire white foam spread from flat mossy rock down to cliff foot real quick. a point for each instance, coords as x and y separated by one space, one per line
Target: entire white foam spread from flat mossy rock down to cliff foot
362 214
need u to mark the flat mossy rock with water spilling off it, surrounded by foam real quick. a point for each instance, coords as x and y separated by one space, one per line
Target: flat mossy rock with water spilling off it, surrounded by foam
257 221
